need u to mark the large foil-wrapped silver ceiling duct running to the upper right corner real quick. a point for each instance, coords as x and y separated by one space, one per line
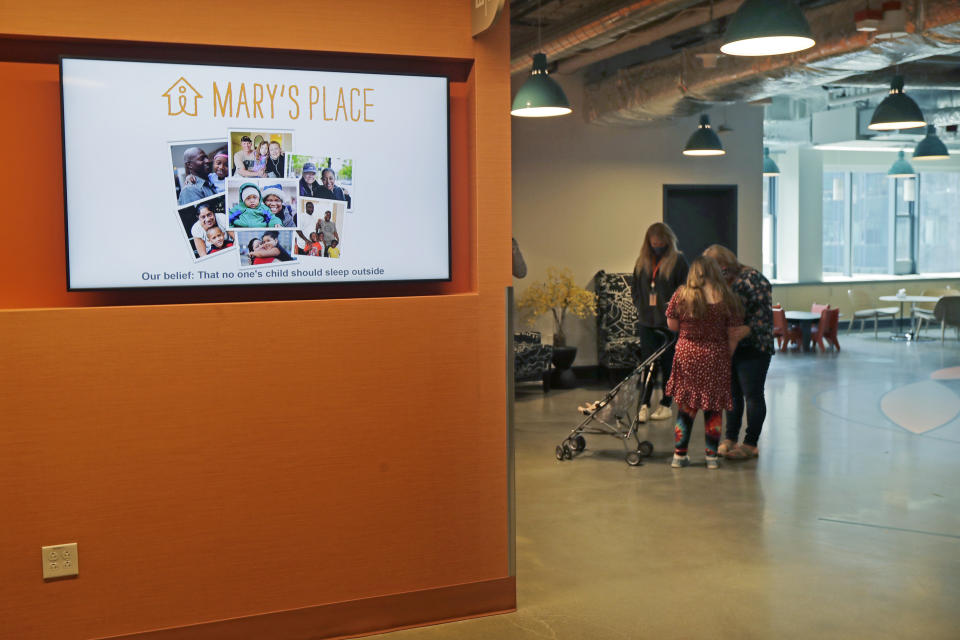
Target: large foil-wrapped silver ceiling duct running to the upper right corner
678 86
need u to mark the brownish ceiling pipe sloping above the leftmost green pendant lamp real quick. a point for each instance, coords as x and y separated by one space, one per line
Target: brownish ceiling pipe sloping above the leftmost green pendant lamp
608 26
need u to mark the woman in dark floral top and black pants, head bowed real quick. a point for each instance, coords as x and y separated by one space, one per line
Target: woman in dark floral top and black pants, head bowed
751 360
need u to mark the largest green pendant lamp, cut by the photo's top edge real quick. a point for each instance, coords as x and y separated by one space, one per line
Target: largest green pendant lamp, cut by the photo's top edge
767 28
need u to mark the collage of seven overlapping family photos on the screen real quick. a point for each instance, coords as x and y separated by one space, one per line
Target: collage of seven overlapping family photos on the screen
249 195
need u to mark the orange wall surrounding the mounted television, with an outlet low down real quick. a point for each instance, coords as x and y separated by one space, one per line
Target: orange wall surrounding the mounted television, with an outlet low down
366 459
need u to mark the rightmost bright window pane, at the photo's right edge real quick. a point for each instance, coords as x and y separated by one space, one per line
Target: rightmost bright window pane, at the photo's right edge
939 223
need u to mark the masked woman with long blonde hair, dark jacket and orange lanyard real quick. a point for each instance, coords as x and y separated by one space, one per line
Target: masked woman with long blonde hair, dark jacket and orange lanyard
659 270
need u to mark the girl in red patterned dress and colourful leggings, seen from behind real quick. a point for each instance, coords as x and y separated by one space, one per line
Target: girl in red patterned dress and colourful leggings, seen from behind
709 318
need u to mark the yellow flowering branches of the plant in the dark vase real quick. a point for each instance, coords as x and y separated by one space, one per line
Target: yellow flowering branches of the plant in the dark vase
560 295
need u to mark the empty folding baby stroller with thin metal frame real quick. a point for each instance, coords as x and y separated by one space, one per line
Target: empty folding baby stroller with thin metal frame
616 414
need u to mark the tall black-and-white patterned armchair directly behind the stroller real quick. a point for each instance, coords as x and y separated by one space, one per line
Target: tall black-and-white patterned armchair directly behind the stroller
618 338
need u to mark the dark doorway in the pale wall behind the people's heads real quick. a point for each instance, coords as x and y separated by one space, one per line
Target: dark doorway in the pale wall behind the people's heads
701 215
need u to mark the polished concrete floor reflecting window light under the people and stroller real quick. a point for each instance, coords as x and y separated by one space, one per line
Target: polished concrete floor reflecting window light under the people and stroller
848 526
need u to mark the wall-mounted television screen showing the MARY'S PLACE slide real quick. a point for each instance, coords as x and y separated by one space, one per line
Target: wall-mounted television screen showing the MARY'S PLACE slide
197 175
